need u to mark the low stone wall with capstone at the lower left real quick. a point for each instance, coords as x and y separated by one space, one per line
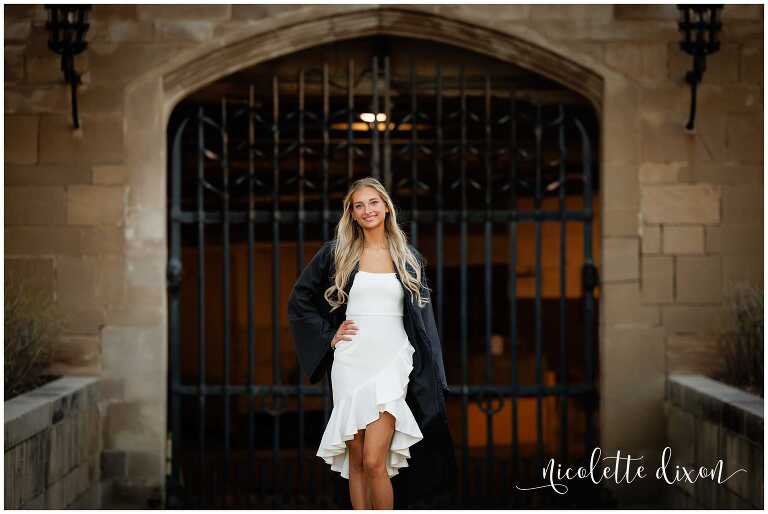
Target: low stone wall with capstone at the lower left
52 444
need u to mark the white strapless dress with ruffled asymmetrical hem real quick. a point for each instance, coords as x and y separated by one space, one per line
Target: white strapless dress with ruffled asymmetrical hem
370 373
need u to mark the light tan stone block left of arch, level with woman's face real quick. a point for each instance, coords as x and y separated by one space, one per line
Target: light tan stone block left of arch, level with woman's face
96 205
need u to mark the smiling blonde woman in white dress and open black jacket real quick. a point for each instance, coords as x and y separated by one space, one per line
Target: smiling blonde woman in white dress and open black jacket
360 312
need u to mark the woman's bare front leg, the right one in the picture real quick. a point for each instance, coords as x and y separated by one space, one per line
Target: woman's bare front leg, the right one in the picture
378 439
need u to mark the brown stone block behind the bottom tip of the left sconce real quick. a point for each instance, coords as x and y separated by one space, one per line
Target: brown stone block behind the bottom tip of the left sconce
99 139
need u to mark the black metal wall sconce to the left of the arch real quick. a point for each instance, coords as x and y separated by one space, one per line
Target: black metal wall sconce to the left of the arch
67 25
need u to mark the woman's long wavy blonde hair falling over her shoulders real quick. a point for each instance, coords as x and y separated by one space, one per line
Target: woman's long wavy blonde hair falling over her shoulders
349 248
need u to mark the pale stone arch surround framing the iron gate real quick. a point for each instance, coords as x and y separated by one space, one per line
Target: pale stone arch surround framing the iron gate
150 99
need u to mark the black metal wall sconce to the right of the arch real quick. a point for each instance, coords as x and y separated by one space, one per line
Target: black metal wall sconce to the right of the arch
700 40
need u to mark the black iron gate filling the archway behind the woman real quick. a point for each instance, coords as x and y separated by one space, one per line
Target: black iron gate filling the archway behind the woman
458 153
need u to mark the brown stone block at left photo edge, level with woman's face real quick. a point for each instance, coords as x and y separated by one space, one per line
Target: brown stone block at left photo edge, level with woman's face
41 205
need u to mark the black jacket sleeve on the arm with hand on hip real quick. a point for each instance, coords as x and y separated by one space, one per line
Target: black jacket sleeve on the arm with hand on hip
308 316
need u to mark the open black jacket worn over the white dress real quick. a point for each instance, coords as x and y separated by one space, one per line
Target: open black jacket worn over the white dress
431 469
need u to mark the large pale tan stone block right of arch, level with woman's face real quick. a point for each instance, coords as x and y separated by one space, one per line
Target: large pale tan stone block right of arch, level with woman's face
670 204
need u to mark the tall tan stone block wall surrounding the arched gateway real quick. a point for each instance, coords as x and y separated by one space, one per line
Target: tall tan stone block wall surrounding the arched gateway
682 213
